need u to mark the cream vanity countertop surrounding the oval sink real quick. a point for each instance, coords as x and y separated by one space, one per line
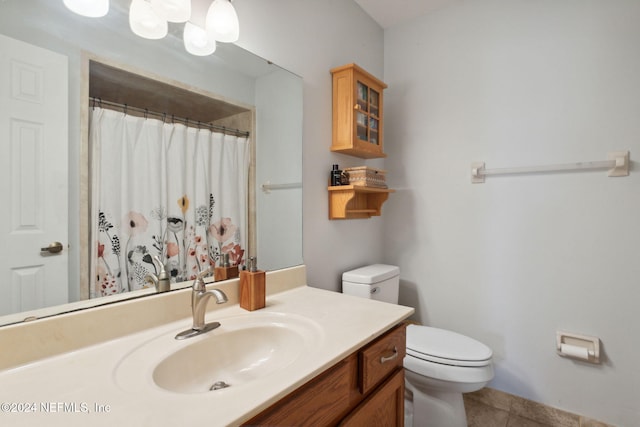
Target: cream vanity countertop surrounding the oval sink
82 388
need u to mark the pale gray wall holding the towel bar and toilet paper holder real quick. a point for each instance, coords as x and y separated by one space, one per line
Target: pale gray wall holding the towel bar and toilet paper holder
509 262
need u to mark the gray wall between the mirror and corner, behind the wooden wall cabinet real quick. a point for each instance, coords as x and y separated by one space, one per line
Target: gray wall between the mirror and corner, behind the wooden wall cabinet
309 37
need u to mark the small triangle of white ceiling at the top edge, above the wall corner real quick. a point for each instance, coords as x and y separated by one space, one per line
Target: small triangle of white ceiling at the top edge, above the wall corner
391 12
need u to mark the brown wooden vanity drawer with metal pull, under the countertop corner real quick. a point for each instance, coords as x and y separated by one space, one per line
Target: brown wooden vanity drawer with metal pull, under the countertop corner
380 358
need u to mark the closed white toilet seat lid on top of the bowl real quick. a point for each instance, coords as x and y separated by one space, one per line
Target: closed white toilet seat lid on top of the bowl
446 347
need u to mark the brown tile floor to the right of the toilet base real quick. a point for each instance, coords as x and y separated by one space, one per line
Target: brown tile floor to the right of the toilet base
493 408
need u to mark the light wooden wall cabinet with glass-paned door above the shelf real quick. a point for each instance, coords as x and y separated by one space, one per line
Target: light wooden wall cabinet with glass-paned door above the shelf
357 112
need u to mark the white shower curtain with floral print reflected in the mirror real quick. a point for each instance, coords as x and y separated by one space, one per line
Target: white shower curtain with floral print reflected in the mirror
167 190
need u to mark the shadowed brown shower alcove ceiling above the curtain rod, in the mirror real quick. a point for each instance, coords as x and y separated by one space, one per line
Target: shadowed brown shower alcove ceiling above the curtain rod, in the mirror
116 85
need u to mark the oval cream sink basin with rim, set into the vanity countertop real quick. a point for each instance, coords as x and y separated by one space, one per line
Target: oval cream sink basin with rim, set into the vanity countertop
243 350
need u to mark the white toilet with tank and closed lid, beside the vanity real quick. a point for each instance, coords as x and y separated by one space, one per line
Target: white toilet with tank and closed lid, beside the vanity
440 365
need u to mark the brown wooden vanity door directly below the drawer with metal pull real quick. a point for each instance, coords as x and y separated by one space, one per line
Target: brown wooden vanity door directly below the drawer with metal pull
383 408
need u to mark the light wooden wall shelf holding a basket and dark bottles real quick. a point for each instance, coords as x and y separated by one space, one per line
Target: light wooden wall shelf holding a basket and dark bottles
353 201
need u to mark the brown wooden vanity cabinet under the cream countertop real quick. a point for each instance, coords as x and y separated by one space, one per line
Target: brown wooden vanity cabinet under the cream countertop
364 389
